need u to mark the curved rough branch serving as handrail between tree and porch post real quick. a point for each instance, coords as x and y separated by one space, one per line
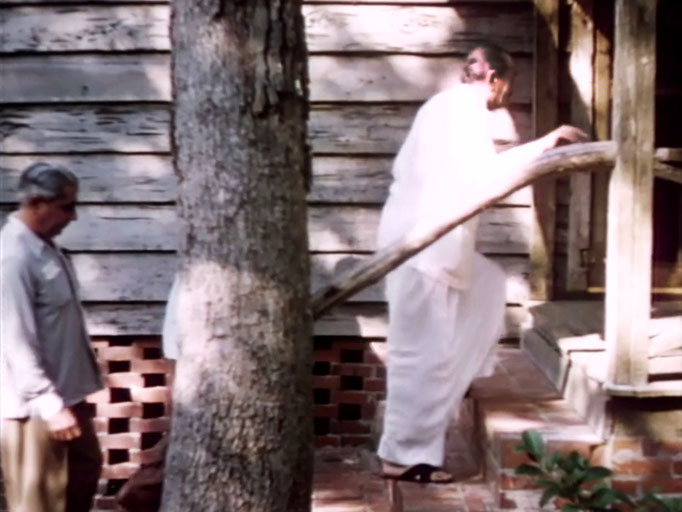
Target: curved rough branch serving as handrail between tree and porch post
592 156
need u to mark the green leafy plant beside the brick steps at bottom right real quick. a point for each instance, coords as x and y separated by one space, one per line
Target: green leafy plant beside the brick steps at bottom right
578 484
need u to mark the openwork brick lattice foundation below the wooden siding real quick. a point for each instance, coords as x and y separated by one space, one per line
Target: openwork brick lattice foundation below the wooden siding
132 413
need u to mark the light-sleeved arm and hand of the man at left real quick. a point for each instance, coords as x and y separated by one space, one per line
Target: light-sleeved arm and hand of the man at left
21 350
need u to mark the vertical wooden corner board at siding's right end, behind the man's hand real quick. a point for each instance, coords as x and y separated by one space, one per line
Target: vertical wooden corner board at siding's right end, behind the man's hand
545 118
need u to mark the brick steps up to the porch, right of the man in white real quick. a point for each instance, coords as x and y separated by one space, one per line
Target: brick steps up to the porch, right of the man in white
519 397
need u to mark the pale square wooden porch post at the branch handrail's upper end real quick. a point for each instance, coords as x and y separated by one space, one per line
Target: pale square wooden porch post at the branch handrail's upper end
629 239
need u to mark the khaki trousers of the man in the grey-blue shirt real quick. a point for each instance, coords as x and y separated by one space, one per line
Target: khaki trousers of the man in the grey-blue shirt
44 475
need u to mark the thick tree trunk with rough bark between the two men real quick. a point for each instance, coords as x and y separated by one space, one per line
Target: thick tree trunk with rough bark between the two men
242 428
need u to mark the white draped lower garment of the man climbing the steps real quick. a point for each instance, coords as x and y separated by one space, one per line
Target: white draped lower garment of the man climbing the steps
439 340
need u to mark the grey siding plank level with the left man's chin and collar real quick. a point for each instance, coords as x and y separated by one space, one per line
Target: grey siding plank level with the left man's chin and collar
331 229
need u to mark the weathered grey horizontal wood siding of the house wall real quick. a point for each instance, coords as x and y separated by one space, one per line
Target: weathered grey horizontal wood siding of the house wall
87 84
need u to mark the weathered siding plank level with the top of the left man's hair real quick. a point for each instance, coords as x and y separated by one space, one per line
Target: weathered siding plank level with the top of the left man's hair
150 179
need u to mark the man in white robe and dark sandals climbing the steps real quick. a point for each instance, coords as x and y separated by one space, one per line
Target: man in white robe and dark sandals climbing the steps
446 304
